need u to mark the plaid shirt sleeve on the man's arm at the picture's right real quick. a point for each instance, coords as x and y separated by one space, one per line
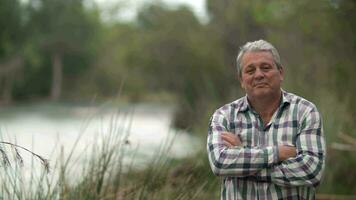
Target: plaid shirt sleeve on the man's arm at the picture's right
308 166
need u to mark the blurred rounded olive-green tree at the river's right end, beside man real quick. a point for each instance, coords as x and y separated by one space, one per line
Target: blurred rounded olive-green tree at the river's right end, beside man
179 55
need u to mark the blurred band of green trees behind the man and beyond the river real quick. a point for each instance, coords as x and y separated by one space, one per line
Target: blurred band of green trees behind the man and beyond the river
168 51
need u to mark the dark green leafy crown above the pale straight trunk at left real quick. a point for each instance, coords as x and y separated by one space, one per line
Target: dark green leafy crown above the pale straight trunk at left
61 25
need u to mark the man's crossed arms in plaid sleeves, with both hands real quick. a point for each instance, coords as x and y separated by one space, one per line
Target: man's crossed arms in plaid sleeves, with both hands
301 165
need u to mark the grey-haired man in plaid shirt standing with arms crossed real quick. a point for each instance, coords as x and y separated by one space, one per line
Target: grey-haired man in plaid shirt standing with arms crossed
268 144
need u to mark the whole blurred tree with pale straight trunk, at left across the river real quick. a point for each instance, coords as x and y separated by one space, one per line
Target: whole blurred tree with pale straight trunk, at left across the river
62 29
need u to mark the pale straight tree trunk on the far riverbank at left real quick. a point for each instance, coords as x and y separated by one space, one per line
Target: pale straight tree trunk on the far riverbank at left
56 76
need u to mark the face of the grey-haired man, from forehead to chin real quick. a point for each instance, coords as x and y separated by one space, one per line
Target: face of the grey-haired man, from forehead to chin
260 76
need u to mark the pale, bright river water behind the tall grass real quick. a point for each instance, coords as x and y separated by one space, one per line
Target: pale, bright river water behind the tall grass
62 130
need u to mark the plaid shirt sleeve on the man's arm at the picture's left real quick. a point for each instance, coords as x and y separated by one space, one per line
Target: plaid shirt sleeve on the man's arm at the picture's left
237 161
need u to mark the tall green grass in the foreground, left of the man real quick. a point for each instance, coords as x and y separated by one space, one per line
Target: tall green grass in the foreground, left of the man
109 170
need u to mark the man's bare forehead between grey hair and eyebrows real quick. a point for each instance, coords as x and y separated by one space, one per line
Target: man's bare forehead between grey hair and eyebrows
256 57
